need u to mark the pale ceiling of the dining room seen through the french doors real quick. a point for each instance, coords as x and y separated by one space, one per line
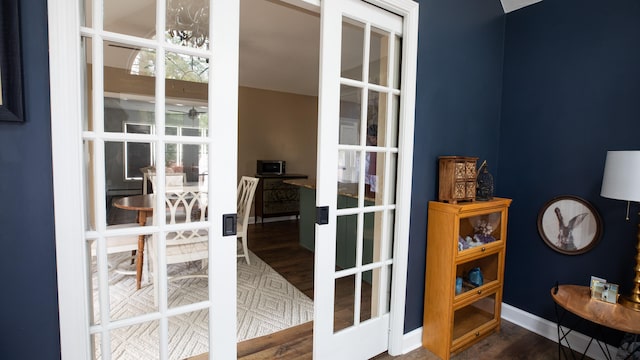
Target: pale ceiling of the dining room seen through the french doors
279 43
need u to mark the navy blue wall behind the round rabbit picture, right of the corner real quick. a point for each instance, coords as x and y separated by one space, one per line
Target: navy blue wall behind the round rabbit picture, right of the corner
571 92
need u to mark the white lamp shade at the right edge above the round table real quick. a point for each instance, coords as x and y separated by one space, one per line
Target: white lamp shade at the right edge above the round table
621 179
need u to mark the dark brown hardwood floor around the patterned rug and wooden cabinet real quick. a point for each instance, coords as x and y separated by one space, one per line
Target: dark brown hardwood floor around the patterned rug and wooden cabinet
277 244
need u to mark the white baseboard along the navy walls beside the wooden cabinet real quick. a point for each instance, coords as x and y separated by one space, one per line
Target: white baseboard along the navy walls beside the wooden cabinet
413 340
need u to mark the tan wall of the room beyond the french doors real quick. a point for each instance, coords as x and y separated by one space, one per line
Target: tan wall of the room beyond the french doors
272 125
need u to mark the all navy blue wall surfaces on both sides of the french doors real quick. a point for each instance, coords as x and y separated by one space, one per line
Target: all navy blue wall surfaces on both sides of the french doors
571 90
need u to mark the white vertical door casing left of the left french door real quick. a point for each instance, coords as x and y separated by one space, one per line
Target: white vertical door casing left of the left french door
64 57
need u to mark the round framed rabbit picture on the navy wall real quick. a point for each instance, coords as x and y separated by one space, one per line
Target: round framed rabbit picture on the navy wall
569 225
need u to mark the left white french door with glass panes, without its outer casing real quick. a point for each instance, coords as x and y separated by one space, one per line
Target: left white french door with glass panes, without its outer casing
153 216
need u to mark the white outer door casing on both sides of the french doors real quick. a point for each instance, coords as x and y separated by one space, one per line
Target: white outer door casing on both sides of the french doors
64 60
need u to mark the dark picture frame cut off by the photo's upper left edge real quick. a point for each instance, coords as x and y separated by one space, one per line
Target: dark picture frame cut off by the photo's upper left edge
11 99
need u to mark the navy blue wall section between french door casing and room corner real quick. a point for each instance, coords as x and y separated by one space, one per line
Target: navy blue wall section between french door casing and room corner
458 103
